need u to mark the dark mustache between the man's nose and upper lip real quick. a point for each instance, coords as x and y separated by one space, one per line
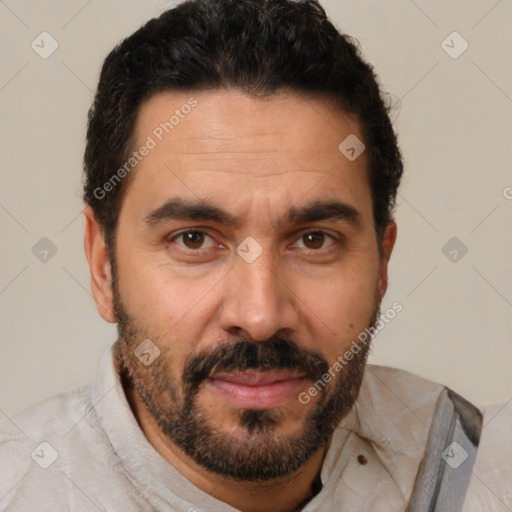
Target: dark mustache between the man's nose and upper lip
244 354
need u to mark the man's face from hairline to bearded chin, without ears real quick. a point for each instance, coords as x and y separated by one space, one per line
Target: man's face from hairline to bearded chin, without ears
246 252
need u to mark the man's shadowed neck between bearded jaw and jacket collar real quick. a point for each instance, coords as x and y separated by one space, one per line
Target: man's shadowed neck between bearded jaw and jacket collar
287 494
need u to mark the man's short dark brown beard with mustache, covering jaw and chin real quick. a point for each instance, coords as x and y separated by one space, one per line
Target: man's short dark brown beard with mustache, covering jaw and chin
262 453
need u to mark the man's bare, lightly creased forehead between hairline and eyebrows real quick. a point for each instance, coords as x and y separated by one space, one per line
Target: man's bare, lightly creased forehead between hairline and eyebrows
225 143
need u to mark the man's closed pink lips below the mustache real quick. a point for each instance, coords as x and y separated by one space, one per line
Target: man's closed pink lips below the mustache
257 390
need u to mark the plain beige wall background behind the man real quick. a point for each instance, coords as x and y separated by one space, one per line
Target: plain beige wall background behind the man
454 118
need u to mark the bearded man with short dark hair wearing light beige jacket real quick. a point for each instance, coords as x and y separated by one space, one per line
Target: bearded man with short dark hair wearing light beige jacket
241 172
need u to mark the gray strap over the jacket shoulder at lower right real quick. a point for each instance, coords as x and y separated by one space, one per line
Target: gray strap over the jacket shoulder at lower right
444 473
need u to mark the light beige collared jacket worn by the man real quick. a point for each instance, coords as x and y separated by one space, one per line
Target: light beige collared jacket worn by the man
84 451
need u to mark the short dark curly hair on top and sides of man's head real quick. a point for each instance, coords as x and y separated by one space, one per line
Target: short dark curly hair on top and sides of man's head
260 47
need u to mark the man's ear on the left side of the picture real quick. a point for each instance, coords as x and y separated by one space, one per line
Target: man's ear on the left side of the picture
99 267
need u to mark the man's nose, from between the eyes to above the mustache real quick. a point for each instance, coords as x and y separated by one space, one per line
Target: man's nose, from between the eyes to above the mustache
258 301
